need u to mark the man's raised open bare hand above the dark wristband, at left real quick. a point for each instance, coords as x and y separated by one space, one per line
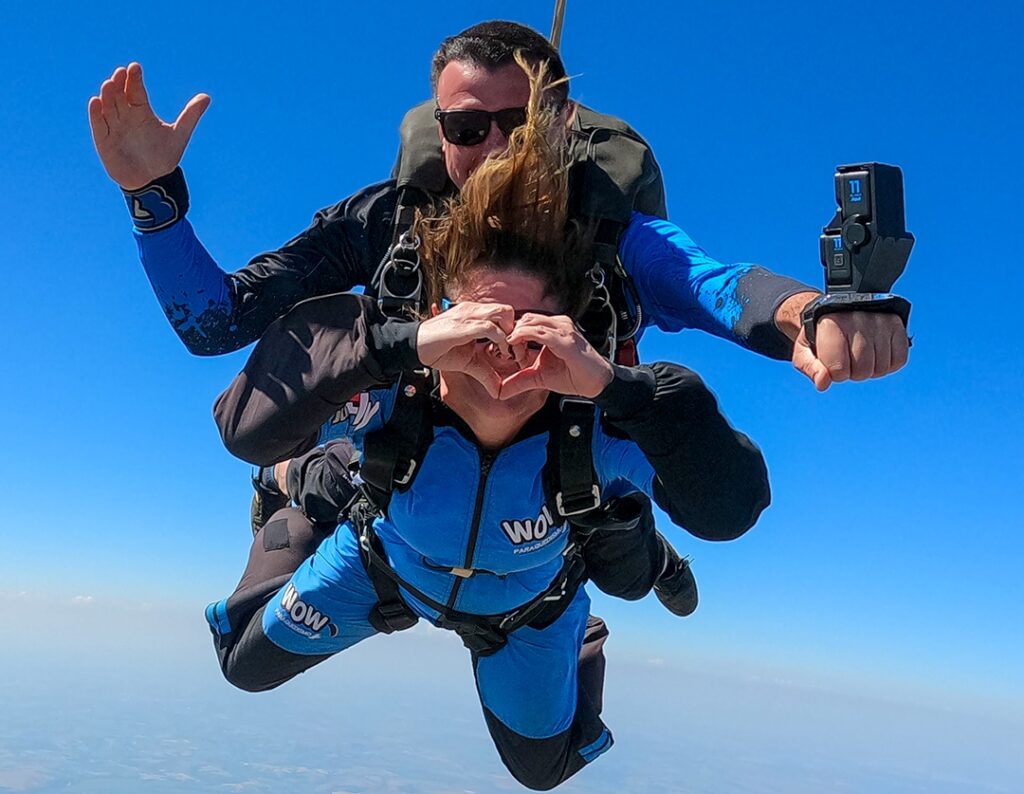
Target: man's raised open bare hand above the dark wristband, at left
135 145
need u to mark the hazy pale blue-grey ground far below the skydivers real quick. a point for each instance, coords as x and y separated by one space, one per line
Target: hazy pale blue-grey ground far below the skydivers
106 700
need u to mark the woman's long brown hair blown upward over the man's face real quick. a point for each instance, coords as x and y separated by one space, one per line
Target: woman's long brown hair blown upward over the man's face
514 214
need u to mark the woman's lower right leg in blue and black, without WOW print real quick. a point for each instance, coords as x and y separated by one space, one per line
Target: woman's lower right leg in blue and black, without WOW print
542 698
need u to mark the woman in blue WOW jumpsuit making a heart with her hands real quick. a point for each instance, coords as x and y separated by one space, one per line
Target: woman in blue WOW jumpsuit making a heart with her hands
473 537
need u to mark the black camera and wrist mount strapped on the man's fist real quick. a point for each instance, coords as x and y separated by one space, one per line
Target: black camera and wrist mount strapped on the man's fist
866 247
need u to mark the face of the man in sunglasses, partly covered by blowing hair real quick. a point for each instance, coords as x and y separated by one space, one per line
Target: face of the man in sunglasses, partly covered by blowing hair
466 87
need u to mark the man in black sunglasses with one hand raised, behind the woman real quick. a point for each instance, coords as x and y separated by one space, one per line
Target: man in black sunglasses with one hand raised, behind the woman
480 94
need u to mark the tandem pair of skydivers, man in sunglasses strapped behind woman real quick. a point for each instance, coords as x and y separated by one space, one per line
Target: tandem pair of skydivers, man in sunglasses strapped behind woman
485 484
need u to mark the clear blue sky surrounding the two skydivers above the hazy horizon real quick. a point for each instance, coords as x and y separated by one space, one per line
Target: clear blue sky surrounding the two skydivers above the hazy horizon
891 558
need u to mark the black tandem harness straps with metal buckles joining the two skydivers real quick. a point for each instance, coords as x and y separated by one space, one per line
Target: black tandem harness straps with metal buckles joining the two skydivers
614 173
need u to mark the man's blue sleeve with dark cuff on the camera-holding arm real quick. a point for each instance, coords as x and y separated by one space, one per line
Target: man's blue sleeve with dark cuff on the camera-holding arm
680 286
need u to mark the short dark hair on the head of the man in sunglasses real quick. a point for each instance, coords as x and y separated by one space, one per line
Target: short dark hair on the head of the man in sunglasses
494 45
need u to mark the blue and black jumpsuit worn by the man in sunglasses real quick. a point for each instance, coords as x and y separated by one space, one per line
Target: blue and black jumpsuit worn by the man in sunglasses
678 286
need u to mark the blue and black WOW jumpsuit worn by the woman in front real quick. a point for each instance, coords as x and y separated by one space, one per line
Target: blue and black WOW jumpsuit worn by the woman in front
474 531
